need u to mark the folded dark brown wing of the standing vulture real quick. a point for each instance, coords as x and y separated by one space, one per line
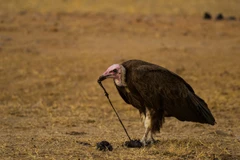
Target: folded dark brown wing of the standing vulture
164 90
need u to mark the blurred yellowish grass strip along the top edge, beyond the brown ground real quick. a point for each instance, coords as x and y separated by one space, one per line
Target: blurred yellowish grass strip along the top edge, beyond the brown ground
167 7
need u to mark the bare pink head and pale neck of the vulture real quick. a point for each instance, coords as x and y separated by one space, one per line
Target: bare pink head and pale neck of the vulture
115 71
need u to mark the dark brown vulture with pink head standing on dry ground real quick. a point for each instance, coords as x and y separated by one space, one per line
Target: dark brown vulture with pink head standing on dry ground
157 93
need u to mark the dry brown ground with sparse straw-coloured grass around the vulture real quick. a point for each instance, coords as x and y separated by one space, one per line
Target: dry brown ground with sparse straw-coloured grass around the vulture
51 106
